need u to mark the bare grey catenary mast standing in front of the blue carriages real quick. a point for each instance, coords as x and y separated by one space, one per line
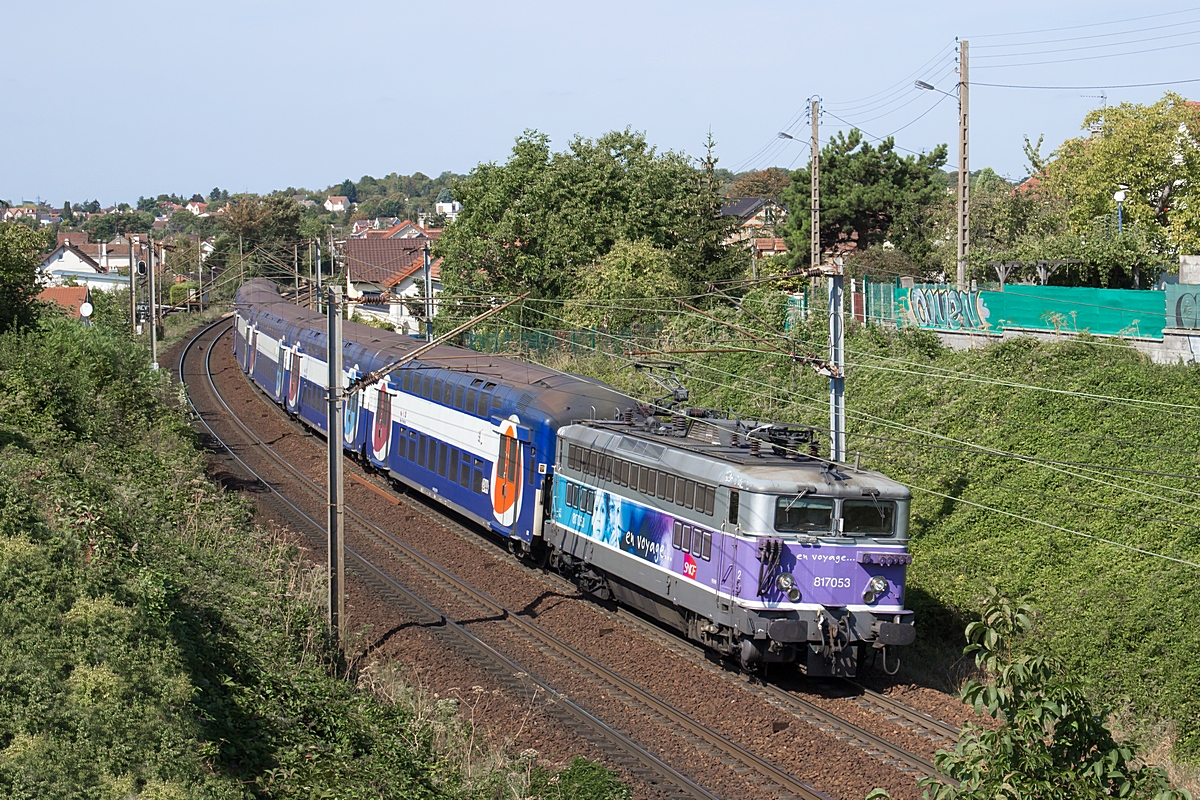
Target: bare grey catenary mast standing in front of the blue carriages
334 438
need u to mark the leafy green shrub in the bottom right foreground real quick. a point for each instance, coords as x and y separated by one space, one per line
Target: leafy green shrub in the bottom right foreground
1048 742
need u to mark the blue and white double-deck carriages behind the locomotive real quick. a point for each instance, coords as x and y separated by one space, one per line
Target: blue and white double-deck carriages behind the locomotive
476 432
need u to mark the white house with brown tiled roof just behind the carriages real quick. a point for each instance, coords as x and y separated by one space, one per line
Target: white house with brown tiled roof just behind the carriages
389 272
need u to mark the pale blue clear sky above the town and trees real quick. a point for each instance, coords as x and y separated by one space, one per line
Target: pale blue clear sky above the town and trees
112 101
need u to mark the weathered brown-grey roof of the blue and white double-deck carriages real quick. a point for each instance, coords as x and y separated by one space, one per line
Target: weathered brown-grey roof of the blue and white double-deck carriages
561 396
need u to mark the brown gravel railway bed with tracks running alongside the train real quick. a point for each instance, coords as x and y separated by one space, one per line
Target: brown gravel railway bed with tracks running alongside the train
716 760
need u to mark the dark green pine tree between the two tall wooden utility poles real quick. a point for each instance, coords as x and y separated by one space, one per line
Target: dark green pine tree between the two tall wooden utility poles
868 195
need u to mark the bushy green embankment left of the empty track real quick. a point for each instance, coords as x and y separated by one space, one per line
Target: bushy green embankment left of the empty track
153 643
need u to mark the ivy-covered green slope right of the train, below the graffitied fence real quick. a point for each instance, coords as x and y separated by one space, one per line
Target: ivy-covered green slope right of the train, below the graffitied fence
1124 622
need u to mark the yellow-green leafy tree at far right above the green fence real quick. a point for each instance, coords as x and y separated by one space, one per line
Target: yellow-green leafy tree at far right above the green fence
1154 151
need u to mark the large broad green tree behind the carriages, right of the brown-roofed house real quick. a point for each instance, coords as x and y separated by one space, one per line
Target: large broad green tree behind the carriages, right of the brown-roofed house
533 222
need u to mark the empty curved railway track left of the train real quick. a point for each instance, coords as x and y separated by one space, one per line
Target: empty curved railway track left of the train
620 748
